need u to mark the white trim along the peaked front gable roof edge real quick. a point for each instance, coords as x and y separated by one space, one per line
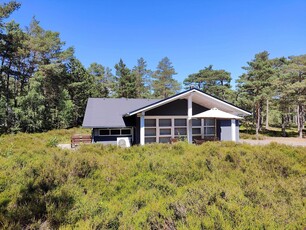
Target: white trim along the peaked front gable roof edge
166 101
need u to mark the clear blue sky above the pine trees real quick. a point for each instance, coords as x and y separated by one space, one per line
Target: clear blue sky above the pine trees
193 33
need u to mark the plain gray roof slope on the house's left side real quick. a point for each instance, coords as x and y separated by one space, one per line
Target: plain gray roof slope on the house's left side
108 112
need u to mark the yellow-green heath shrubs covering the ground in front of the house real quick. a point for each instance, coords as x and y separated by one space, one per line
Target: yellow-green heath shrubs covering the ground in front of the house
212 186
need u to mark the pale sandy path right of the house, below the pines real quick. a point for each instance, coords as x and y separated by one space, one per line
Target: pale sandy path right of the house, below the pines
281 140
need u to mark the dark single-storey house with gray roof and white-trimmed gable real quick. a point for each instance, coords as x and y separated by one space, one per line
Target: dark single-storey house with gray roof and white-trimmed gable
191 114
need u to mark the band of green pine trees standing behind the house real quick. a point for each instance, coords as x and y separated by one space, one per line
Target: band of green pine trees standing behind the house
44 86
